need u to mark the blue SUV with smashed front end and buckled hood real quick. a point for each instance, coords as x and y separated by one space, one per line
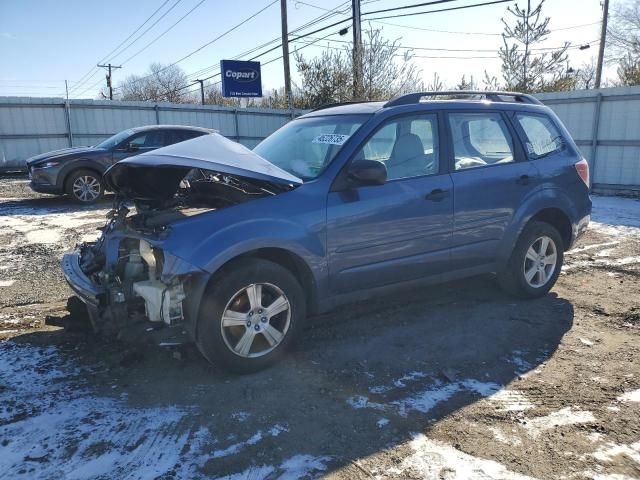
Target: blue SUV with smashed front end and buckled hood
236 247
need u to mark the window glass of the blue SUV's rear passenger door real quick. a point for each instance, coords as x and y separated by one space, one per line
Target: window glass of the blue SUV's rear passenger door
480 140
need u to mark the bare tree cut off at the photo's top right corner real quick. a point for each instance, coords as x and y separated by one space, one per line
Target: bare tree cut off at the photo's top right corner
623 31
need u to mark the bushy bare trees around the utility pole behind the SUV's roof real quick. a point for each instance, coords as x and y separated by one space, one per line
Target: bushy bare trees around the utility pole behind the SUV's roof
387 71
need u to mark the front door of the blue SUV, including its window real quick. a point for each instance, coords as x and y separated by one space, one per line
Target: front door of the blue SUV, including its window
379 235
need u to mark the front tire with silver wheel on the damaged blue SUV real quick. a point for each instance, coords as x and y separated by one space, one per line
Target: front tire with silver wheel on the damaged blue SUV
229 318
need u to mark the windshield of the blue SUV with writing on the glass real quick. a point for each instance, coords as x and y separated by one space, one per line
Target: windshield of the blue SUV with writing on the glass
305 147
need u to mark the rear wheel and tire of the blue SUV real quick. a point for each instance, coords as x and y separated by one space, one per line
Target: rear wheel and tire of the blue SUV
530 273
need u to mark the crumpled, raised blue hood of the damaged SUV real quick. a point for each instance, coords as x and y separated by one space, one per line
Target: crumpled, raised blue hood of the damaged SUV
157 174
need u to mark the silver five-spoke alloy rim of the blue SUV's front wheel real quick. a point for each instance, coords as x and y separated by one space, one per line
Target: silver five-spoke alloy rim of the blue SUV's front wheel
256 320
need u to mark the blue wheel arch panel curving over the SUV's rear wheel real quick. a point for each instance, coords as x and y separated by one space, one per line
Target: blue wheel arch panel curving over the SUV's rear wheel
547 197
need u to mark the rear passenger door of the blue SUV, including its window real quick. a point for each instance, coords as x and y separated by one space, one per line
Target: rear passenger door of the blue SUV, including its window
491 177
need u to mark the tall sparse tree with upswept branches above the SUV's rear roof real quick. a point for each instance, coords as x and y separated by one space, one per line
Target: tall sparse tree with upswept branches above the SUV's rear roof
524 69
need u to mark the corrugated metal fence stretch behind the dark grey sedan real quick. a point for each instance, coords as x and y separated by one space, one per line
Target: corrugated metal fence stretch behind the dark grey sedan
29 126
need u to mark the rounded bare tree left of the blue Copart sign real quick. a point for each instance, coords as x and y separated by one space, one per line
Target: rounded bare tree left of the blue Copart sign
161 83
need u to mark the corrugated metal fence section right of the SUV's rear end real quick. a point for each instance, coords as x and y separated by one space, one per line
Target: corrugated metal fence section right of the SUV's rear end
605 123
